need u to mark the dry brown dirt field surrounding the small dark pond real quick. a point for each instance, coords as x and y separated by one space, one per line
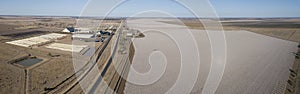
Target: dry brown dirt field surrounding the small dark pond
40 76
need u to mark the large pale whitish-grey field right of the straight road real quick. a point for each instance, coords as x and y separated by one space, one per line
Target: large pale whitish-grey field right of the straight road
255 63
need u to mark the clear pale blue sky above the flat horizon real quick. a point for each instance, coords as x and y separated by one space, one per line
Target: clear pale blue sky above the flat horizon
223 8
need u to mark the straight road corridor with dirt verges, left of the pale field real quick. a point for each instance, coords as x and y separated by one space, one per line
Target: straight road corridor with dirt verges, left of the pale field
105 76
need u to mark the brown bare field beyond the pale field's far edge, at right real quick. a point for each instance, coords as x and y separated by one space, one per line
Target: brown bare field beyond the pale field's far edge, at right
287 29
